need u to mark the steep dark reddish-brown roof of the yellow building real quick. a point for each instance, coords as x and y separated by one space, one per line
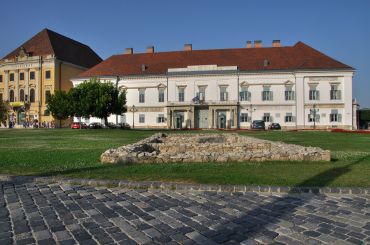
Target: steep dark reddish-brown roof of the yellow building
48 42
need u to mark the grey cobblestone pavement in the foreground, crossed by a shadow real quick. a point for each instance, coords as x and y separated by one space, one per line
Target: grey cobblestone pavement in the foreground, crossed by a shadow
33 213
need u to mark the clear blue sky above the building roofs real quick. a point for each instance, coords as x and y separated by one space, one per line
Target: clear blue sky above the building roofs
340 29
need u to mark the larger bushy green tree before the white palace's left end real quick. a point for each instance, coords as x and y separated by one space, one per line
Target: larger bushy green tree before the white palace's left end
93 98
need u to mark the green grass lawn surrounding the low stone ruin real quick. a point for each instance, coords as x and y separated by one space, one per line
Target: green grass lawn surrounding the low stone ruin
75 153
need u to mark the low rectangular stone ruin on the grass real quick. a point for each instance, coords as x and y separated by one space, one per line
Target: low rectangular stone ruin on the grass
228 147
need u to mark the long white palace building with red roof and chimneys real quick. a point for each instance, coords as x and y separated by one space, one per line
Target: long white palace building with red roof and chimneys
295 86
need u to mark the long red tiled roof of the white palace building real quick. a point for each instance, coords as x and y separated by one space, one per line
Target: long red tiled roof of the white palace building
297 57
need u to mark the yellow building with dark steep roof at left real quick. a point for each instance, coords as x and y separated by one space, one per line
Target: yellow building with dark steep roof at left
32 72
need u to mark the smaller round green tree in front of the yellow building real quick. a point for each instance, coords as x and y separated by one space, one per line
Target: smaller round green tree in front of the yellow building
60 106
